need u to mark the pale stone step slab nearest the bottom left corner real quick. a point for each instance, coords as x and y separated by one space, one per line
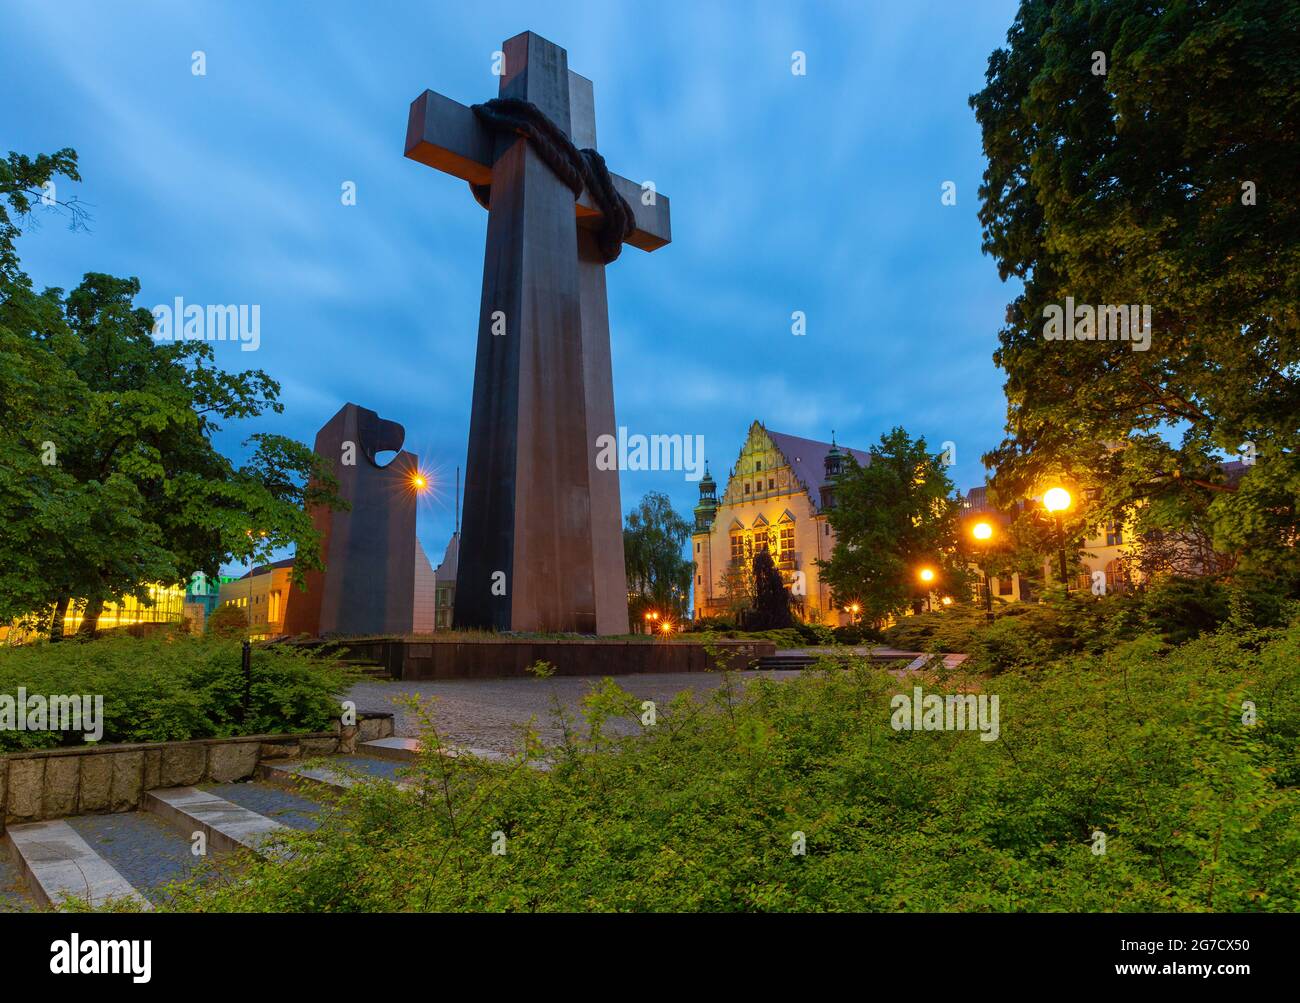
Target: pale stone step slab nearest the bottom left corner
59 865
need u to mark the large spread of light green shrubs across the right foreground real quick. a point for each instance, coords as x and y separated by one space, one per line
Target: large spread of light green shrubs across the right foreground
699 811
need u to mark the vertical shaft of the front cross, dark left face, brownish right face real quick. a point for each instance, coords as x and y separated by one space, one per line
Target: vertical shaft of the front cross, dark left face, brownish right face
527 558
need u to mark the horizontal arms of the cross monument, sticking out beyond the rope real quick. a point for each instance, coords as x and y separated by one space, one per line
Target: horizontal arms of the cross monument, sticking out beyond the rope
448 136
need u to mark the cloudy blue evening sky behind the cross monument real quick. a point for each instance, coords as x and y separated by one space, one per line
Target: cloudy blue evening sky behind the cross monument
817 194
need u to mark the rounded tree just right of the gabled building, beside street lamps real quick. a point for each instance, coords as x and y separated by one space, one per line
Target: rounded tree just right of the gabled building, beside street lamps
894 518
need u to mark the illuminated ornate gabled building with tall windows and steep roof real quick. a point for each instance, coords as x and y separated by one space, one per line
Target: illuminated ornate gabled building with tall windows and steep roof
777 497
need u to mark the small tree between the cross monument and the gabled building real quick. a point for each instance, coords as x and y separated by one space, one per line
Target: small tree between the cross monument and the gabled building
653 541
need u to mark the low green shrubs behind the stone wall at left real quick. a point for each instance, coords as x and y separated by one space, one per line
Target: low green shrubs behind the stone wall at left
172 688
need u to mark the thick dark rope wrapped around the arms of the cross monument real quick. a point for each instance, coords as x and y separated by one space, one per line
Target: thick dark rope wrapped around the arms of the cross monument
578 168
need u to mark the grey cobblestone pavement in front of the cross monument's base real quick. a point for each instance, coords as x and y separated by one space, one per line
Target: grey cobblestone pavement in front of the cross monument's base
487 714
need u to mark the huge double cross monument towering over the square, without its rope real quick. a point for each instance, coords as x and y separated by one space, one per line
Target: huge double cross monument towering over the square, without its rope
541 545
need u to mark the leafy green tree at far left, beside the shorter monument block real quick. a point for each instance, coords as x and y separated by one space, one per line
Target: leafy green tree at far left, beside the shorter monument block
110 480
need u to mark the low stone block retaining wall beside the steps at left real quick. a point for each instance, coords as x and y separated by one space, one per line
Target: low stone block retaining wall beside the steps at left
57 783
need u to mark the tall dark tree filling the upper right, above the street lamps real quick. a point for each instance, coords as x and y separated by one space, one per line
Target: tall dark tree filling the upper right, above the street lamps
1146 155
